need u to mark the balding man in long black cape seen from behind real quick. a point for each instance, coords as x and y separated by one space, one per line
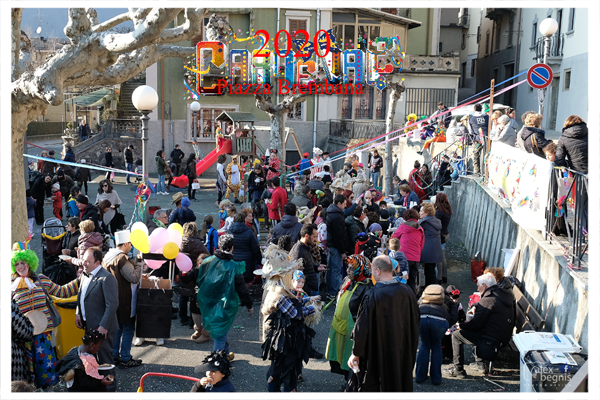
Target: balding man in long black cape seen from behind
386 335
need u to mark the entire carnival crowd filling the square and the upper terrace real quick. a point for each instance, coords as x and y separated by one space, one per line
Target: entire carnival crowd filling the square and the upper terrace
336 236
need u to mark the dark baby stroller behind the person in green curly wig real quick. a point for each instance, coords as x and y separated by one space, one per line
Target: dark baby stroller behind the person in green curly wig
53 267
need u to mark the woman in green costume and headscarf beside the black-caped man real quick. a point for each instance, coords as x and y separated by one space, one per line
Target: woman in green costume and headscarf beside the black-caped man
349 297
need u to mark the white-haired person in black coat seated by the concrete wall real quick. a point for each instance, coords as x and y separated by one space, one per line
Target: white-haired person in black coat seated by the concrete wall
491 326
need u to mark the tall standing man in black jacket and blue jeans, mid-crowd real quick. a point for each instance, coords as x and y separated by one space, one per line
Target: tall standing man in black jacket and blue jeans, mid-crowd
336 243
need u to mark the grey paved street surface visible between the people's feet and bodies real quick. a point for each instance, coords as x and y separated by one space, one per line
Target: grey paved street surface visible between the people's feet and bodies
180 354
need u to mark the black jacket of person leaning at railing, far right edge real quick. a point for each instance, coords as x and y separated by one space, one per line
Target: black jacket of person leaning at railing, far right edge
572 148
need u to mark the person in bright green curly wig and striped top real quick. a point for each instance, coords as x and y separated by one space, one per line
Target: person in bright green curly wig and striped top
29 291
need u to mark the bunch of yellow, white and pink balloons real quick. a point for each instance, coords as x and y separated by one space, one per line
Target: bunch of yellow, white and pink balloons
162 241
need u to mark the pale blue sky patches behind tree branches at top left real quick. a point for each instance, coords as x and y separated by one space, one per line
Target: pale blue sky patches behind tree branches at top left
54 20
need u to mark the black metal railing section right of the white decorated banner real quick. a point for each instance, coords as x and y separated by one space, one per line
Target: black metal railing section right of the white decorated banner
567 213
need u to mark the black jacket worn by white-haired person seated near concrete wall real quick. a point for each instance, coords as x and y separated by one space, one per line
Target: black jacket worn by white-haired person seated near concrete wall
495 314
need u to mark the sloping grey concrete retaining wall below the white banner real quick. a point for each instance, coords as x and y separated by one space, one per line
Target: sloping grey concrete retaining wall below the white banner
482 223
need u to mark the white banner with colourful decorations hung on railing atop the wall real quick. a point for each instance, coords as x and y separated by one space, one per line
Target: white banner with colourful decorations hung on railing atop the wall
522 180
